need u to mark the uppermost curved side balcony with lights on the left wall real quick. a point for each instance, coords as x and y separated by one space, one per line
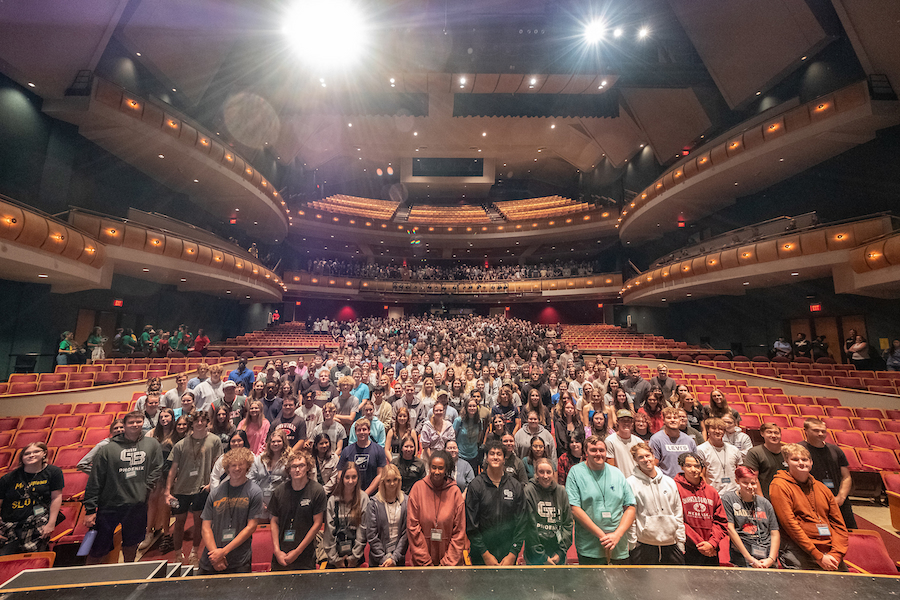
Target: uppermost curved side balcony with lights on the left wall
154 138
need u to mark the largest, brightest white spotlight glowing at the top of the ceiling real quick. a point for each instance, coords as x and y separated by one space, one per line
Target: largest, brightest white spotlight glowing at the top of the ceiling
326 34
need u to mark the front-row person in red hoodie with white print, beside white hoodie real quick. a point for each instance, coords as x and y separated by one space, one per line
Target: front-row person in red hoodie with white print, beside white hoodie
705 521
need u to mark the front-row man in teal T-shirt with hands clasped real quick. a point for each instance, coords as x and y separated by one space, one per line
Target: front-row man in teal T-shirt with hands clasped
603 505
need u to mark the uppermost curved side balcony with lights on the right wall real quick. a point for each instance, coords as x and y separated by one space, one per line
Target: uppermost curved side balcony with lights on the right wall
755 155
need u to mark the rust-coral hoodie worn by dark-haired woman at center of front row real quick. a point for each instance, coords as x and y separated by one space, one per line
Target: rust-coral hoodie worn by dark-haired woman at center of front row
431 508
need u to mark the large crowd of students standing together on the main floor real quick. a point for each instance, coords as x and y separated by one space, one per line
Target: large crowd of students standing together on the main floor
446 442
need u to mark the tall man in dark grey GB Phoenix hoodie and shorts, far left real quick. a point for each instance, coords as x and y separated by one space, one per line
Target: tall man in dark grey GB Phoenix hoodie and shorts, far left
123 473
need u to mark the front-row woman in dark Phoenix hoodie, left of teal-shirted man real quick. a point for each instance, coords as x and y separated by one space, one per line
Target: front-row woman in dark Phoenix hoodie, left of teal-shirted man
548 533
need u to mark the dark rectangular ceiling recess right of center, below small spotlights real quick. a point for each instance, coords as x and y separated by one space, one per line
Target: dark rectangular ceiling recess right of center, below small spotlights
537 105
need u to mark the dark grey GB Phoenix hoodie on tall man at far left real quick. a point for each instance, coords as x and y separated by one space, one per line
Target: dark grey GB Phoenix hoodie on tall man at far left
123 473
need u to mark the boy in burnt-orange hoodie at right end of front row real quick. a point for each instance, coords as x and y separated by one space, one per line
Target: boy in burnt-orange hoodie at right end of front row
813 533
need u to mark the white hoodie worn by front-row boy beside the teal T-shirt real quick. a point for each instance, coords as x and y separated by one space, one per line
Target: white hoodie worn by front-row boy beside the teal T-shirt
658 521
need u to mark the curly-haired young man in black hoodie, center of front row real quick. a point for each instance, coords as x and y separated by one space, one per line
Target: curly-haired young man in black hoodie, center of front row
495 513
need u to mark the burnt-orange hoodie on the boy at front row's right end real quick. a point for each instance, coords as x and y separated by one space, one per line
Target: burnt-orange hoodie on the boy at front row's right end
800 511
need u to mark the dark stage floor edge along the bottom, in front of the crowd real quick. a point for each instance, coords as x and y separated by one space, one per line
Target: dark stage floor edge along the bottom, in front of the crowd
506 583
